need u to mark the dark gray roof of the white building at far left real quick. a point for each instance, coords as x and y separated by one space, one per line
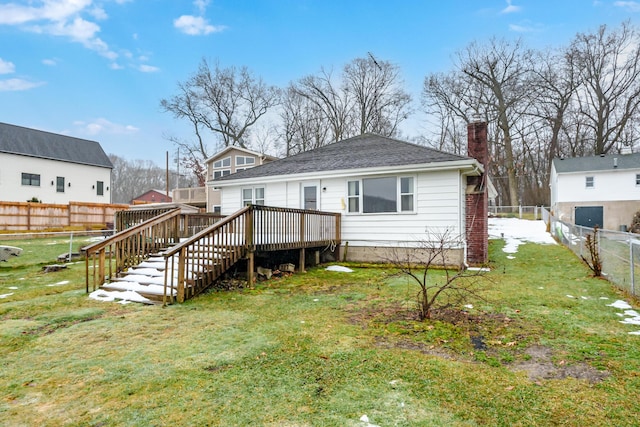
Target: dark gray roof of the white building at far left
45 145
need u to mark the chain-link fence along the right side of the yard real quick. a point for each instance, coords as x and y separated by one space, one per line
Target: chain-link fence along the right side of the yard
619 251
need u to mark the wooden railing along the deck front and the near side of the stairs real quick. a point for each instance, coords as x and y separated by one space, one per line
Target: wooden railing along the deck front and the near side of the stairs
193 265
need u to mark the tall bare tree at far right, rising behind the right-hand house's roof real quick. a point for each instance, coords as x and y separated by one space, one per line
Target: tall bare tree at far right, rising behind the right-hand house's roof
607 62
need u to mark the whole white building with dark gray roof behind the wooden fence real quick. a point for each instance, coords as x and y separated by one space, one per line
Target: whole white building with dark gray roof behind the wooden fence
52 168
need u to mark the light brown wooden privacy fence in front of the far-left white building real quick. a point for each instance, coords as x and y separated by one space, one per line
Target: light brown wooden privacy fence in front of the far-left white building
25 216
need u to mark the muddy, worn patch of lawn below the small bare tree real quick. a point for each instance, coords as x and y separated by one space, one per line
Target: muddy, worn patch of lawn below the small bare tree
488 334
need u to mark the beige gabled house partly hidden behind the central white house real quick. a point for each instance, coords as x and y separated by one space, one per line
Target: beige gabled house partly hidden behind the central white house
226 162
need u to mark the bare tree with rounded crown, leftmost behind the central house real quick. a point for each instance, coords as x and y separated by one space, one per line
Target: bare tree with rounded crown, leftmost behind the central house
225 102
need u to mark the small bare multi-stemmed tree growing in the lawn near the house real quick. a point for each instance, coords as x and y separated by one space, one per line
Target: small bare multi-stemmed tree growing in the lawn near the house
455 287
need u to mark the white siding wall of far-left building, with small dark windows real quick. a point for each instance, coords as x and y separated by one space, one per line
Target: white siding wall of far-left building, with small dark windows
80 177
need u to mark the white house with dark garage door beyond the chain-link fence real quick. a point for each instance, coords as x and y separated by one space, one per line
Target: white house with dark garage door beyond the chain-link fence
599 190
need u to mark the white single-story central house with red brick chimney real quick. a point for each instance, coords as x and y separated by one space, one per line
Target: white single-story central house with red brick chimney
392 194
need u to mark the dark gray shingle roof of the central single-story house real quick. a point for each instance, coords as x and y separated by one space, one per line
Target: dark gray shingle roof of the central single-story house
363 151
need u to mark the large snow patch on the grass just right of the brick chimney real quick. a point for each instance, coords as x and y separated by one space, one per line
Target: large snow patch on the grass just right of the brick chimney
516 232
